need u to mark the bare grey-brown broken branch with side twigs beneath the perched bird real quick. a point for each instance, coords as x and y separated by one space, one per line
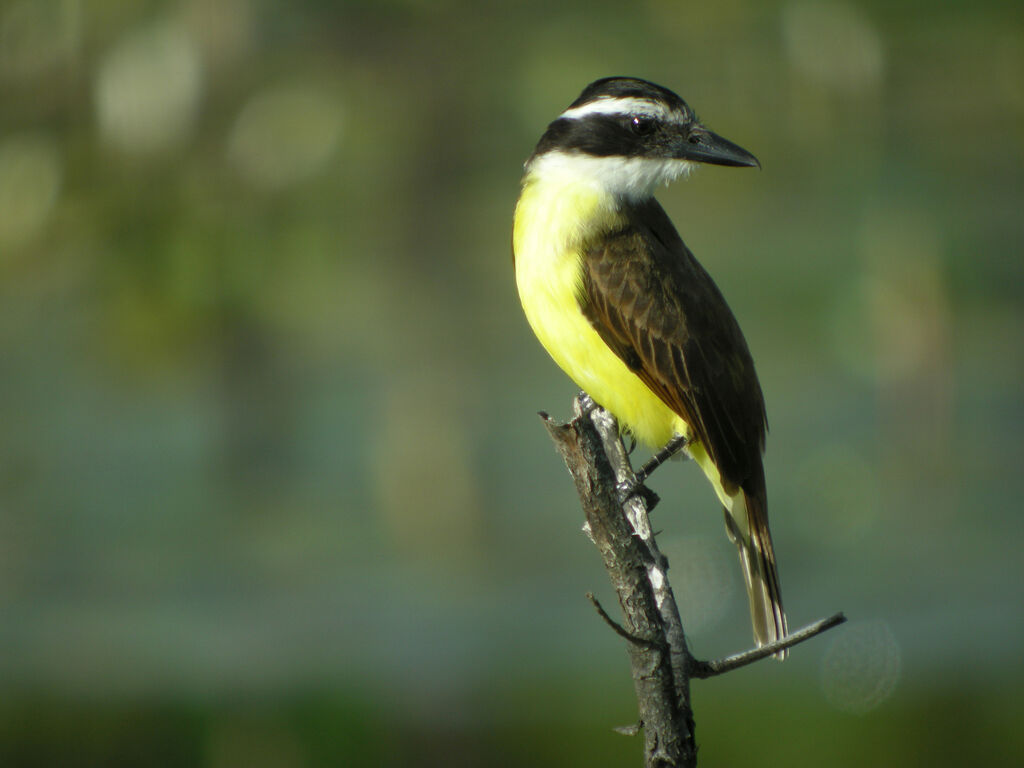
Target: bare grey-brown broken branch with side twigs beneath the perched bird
662 664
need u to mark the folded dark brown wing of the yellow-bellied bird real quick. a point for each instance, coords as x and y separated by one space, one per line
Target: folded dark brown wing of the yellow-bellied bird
661 313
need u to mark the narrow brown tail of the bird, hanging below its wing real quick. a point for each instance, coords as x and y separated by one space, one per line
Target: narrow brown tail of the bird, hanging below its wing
753 540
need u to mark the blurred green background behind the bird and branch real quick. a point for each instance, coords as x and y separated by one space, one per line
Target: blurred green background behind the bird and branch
273 488
